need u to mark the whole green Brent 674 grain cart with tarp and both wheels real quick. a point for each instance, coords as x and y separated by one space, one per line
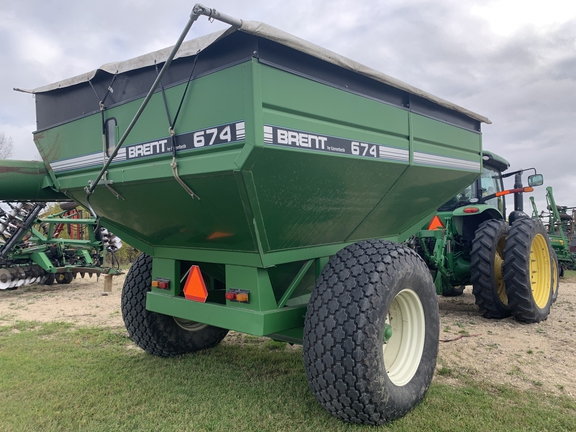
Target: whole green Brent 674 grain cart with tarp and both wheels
268 182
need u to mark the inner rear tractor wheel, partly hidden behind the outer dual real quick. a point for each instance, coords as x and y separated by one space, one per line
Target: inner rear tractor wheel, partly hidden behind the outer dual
487 258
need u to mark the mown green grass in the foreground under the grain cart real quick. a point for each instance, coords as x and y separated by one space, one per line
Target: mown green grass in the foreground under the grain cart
57 377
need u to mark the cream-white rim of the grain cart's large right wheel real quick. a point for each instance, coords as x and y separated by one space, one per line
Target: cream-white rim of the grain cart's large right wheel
403 351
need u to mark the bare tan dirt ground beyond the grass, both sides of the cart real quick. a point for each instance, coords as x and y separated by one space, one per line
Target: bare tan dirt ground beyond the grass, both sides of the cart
525 356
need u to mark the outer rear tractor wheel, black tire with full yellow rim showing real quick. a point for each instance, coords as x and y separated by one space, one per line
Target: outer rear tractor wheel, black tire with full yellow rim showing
528 271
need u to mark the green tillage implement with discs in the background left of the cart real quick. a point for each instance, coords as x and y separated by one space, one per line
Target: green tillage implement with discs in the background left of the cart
55 248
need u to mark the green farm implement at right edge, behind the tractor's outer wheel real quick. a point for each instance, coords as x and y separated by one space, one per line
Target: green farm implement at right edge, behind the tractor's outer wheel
560 224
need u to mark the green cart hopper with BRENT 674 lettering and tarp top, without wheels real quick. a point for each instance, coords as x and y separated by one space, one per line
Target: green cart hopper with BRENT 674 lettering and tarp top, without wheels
257 144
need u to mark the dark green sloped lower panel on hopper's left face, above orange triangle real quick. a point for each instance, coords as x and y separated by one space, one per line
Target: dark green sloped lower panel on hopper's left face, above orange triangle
162 214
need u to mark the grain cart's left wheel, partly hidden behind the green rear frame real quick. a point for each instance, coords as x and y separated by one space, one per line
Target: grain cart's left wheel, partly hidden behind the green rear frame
155 333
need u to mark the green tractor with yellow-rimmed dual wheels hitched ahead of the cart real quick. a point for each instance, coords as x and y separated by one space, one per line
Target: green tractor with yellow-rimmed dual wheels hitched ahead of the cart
510 264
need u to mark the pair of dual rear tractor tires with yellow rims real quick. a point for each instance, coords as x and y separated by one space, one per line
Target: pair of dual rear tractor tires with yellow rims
513 271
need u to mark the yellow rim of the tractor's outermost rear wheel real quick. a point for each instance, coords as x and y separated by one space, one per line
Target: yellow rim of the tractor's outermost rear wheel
540 271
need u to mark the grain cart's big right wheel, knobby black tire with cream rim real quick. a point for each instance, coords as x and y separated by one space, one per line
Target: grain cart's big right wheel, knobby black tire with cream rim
371 333
